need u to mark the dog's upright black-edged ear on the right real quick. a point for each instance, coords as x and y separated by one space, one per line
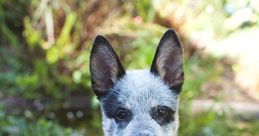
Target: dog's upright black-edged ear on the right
168 61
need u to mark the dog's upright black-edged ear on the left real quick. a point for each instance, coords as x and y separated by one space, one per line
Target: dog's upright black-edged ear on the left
105 66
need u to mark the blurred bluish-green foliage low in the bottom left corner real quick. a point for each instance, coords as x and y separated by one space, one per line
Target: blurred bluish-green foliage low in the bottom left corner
16 126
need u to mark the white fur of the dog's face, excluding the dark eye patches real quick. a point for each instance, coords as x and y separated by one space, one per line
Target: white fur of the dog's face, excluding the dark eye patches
141 90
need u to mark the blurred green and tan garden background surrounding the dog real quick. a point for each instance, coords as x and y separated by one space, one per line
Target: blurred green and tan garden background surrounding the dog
44 62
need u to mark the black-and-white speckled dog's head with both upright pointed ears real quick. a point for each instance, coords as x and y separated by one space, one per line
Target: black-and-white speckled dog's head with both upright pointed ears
139 102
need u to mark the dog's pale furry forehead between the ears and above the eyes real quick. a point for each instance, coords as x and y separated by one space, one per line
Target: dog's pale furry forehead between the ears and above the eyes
142 89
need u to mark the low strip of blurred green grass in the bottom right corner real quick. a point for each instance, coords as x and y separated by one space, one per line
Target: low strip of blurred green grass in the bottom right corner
215 124
